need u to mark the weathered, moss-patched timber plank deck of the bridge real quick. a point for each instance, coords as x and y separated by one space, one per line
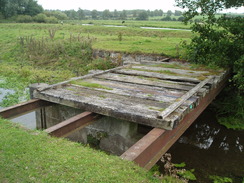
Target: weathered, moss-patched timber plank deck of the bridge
154 94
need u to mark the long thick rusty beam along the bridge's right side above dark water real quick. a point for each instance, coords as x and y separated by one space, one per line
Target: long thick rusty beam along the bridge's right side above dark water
148 150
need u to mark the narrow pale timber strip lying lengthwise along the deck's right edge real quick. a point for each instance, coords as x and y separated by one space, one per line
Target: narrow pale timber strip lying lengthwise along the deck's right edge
182 99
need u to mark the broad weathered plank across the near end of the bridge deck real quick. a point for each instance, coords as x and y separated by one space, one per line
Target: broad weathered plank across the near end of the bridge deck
119 107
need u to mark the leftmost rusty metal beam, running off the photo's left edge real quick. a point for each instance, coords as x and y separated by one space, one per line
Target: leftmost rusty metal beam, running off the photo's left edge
23 108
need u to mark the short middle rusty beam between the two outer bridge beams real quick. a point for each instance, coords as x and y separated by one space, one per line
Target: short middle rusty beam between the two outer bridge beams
73 124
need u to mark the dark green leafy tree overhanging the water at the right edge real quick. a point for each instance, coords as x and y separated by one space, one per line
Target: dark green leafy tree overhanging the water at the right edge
219 41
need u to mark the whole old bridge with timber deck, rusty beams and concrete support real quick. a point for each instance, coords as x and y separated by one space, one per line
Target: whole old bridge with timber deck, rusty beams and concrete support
136 111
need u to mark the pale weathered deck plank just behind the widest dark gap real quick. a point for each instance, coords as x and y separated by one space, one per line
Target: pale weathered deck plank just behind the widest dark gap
157 75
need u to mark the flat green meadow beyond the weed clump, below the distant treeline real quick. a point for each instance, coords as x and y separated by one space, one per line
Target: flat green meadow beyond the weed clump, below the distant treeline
133 39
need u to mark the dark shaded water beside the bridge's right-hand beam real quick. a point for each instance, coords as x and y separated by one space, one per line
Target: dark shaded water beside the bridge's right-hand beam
211 149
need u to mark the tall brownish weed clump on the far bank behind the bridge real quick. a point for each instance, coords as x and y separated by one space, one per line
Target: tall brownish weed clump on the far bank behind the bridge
74 53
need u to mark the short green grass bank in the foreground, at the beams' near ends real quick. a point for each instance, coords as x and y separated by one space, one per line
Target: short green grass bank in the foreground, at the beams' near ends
59 160
